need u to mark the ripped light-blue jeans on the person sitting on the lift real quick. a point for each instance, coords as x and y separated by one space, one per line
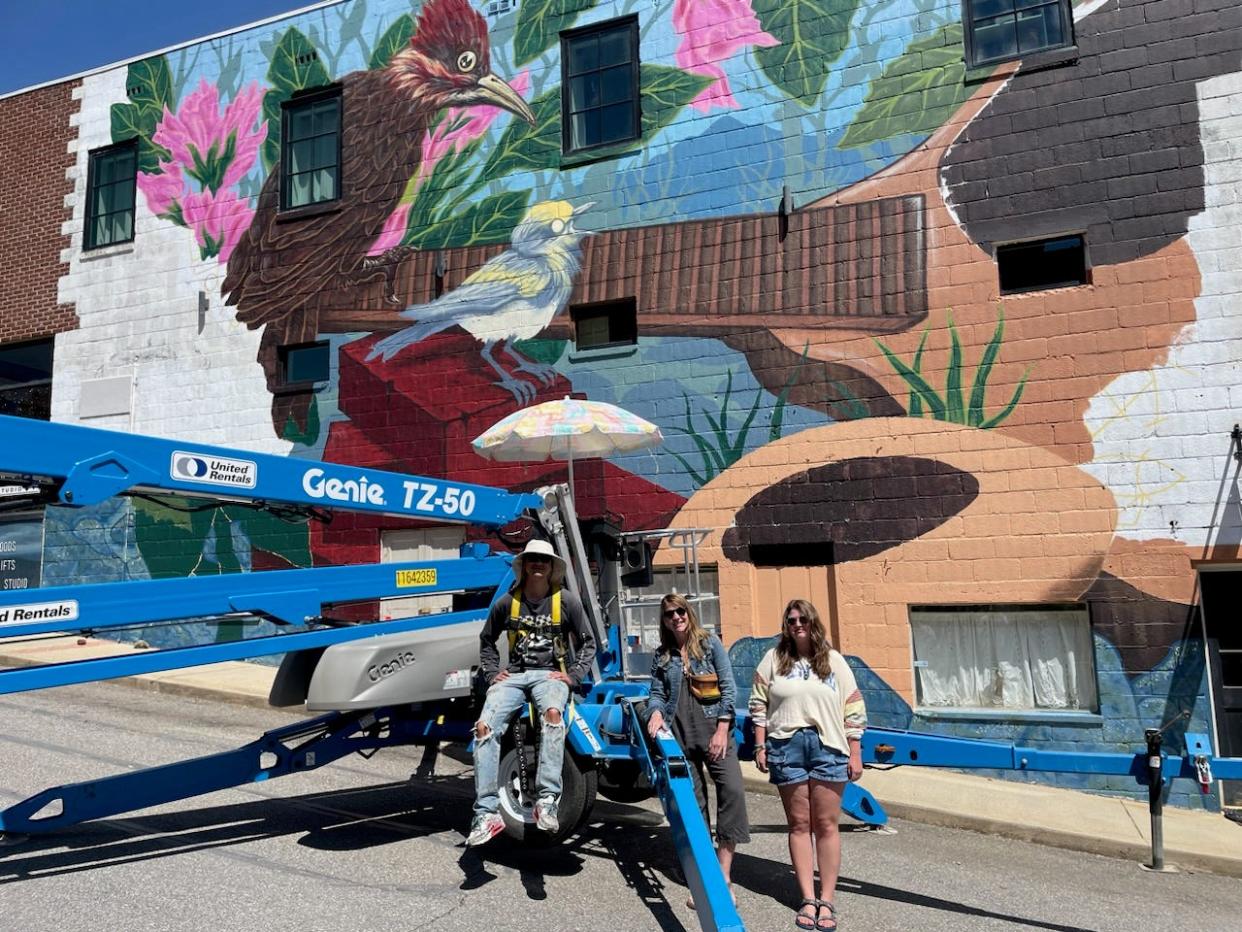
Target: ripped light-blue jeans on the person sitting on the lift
504 701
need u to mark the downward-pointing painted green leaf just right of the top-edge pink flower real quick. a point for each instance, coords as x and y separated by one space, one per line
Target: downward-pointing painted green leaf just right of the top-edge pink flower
813 34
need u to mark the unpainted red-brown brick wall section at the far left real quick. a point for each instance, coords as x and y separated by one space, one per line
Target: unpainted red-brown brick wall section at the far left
35 136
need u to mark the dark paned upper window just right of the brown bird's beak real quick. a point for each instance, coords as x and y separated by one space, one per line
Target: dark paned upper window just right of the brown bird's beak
601 85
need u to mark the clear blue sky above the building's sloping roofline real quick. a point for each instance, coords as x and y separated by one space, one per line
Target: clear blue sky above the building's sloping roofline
44 40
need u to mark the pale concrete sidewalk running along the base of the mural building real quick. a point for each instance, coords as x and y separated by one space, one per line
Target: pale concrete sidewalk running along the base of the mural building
1105 826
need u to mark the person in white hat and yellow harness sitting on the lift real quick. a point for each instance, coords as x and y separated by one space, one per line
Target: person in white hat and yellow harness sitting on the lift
541 619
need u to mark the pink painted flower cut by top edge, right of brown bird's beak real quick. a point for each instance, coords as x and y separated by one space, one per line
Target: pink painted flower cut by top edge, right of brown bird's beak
712 33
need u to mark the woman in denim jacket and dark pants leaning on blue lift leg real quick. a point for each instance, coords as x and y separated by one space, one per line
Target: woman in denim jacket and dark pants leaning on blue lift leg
700 710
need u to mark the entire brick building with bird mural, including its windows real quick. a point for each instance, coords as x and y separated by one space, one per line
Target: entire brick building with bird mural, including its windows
935 301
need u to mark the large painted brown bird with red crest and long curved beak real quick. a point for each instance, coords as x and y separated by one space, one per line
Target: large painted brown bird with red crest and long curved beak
286 269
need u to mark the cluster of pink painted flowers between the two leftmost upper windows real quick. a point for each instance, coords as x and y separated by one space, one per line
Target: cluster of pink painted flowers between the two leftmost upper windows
213 152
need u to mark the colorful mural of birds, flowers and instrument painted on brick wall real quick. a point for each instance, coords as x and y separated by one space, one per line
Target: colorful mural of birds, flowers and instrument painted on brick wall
807 231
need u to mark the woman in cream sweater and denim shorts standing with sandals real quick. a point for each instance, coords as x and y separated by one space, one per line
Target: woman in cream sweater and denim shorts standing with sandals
809 721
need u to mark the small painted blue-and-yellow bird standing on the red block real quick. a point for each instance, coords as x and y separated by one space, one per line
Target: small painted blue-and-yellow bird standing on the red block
512 296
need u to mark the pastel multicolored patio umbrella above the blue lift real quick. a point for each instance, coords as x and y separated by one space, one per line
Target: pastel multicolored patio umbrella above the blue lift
564 429
